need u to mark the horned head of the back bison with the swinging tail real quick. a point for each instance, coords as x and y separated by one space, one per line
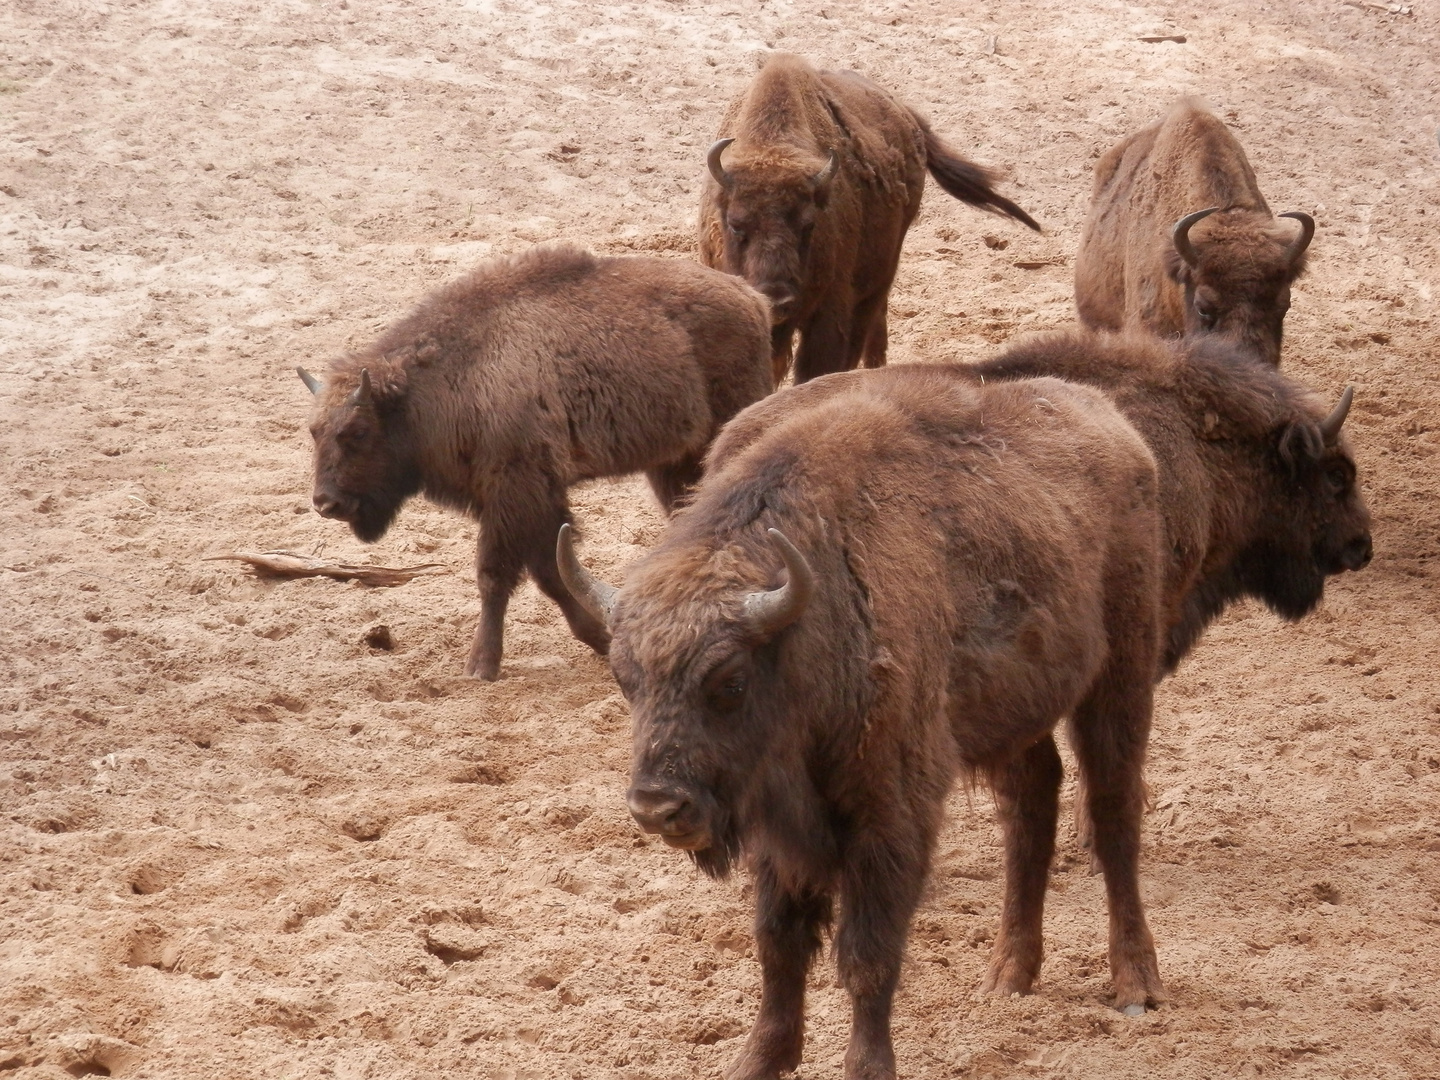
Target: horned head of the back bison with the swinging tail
768 217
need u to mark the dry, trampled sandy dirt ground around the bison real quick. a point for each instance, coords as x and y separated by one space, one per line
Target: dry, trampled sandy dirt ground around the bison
237 842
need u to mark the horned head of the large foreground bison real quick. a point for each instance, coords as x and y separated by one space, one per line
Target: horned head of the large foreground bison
693 650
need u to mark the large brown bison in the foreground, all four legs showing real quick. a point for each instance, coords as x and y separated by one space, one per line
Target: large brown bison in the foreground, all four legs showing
886 580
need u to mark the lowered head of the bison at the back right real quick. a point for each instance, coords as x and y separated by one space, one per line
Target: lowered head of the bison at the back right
1238 280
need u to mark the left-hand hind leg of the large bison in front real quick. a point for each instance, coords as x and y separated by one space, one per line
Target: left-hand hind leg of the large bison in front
1027 793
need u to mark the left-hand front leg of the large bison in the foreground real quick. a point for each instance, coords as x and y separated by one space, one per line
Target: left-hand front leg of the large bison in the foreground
787 937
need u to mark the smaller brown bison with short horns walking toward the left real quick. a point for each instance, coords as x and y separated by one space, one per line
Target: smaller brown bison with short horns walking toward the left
531 375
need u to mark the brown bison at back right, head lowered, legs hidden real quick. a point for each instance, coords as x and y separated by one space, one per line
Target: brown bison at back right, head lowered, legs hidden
1180 241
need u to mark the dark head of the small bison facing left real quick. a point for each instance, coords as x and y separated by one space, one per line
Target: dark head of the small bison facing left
365 469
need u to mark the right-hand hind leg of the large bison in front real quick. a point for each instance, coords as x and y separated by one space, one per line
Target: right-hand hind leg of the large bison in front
1111 734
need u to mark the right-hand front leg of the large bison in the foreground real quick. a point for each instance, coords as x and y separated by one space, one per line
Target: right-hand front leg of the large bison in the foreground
881 891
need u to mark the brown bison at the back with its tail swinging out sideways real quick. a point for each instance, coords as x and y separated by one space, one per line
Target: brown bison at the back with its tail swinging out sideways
814 184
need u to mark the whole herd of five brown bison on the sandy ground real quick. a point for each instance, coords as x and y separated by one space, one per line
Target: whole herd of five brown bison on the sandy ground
876 582
